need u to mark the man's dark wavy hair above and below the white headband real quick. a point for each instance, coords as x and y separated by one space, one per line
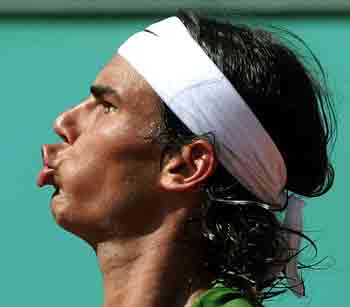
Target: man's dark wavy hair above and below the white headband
244 241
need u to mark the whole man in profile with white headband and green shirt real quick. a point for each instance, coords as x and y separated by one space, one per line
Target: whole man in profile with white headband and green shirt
185 166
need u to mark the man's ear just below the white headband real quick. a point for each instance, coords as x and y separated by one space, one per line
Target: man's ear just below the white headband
189 168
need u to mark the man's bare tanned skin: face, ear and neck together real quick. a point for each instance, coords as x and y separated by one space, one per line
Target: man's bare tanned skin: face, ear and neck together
117 196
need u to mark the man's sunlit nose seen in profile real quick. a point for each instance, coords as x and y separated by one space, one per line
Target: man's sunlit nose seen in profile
66 125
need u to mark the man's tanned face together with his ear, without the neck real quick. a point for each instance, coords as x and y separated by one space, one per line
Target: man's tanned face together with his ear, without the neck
112 176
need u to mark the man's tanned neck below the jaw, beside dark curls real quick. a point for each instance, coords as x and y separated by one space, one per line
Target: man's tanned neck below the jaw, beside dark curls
155 270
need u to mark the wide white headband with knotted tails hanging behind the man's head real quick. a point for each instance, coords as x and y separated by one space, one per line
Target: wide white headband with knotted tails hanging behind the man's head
192 86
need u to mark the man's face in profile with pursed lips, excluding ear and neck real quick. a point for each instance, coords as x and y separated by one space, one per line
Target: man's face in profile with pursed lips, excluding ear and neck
106 170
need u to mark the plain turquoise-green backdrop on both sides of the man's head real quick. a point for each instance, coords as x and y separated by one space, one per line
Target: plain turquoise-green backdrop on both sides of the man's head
47 65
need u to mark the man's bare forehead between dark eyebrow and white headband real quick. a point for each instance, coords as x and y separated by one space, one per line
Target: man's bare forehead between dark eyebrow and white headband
130 86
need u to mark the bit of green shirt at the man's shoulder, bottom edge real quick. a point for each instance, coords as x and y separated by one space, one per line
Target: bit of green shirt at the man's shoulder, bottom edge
220 296
